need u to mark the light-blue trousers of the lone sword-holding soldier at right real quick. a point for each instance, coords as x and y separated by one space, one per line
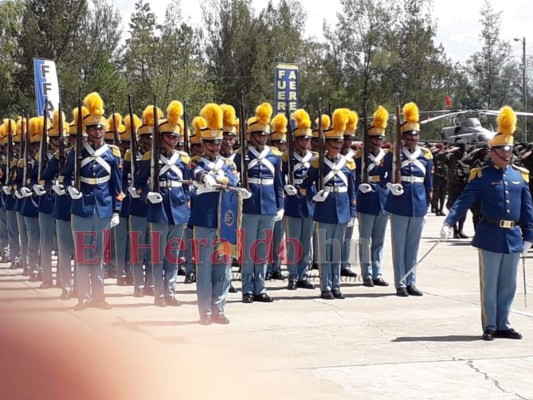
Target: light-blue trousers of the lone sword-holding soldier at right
497 279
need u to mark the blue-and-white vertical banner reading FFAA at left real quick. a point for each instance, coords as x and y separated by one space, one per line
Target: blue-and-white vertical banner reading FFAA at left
46 86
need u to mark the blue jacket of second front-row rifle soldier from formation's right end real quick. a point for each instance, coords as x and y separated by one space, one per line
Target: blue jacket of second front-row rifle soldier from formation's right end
339 206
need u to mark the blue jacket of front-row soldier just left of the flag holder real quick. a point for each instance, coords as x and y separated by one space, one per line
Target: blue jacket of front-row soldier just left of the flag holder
173 210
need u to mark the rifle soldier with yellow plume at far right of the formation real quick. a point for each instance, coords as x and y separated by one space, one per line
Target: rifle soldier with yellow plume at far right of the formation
408 203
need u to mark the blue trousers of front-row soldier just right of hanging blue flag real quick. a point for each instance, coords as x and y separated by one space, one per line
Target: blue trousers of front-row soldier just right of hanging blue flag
256 250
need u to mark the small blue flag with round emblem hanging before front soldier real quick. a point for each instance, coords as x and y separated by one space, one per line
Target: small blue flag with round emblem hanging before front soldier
229 215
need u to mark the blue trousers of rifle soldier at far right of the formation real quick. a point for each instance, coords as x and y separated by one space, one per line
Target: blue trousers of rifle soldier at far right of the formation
405 235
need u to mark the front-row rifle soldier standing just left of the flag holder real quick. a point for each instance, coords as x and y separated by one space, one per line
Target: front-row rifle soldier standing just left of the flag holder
168 210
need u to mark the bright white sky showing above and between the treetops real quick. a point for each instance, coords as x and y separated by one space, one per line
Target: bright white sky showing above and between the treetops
458 26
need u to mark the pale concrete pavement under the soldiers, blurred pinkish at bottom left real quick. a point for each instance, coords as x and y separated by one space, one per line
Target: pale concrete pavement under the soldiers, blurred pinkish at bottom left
372 345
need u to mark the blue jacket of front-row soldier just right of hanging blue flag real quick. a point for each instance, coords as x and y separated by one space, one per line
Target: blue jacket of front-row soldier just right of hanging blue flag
267 198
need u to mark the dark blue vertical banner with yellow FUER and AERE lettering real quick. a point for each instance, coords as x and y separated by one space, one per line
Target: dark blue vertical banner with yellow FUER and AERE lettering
286 88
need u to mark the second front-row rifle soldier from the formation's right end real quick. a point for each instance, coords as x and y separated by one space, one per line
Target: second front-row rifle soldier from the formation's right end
335 204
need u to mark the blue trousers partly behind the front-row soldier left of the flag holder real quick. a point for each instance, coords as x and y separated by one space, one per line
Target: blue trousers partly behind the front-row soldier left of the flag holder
140 233
